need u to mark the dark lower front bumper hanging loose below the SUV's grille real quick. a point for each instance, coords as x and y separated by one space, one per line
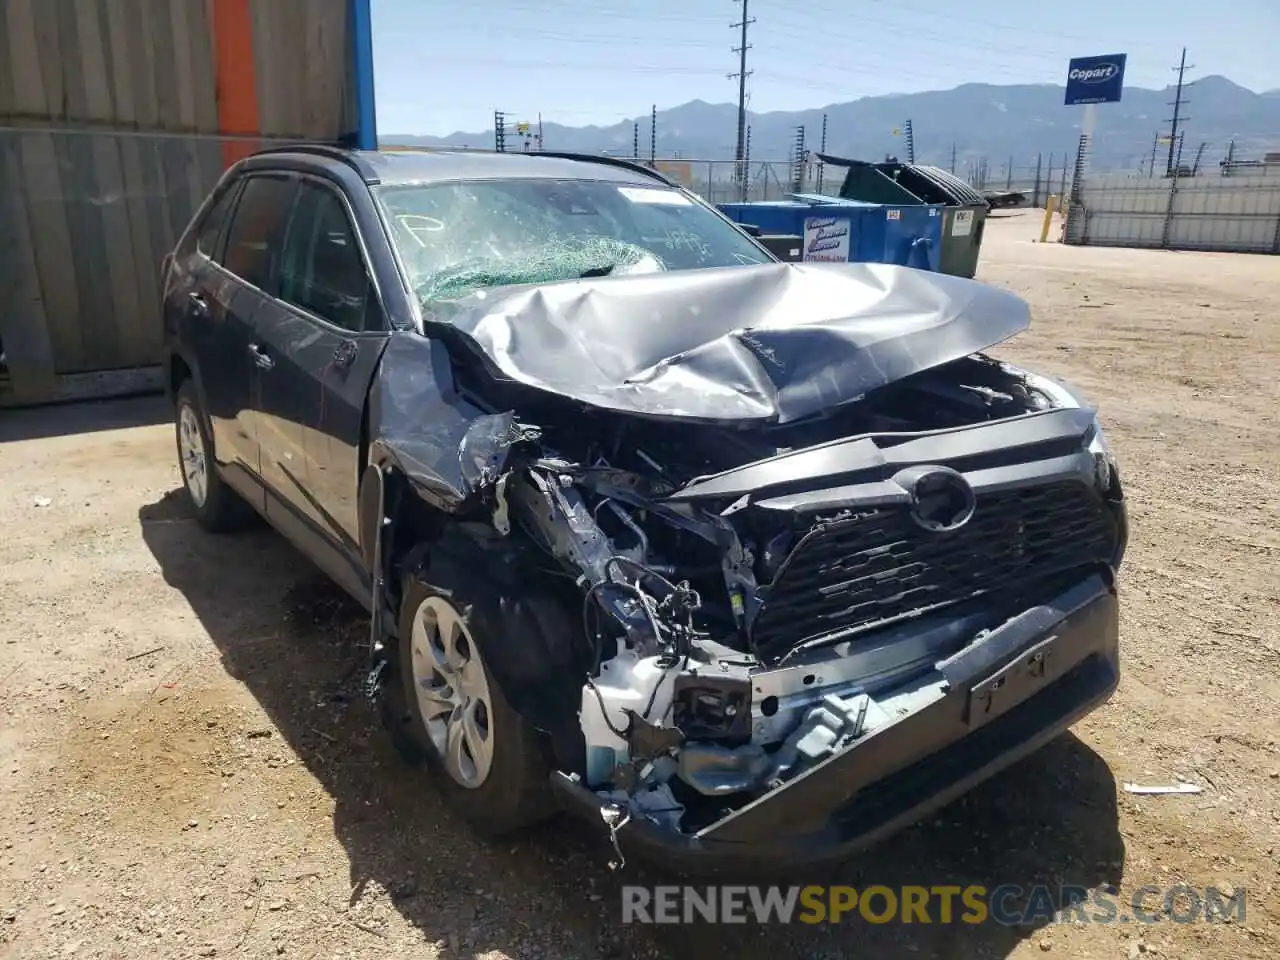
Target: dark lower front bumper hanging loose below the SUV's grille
1008 696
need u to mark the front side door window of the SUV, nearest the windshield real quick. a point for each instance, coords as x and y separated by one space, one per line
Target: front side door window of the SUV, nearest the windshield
322 269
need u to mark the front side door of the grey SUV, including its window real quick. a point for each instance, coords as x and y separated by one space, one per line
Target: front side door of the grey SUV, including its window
324 336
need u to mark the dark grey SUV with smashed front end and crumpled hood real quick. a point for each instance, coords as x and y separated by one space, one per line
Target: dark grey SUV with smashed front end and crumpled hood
749 563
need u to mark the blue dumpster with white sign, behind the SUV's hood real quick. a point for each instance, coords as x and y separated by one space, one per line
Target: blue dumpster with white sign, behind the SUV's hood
851 231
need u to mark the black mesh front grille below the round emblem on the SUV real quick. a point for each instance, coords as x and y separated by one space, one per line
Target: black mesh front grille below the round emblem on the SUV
860 572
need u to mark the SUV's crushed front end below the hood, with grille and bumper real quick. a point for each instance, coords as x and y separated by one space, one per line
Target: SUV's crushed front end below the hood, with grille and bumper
806 638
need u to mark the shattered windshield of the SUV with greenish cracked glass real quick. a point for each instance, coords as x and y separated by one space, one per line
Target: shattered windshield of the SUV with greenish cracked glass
459 237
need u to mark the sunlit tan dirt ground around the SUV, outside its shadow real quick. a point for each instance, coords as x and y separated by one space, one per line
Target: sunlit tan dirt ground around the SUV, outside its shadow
188 767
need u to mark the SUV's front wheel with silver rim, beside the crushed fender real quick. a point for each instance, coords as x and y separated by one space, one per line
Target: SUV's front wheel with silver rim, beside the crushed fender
451 715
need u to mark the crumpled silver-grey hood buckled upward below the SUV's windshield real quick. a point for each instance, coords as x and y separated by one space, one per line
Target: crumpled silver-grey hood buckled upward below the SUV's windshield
771 342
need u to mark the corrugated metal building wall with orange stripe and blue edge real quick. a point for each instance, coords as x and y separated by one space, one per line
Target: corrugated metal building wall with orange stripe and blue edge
116 118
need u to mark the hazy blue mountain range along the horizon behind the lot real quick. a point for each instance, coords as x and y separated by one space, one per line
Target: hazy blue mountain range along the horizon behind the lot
980 122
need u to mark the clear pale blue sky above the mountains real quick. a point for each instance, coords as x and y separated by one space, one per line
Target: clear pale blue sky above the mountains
444 67
